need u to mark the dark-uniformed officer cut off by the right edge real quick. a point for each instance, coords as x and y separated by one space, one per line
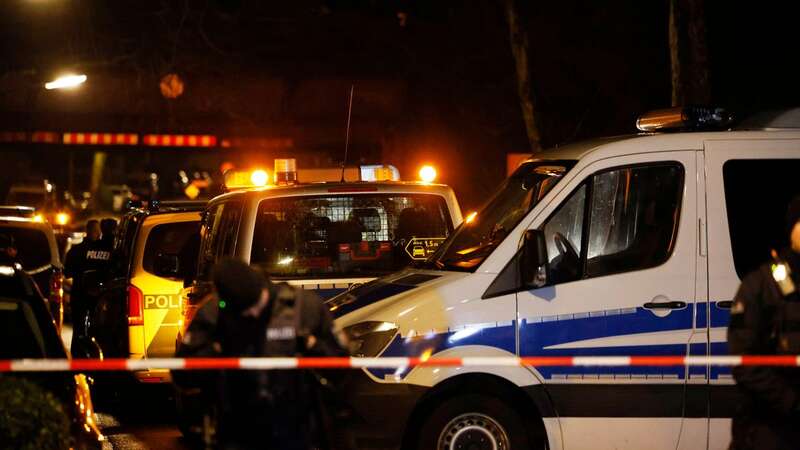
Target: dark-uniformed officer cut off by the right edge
765 319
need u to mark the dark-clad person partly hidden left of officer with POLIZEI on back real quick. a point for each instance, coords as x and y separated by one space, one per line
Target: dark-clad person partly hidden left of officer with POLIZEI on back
74 267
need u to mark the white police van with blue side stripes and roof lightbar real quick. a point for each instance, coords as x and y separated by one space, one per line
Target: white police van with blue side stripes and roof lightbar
630 245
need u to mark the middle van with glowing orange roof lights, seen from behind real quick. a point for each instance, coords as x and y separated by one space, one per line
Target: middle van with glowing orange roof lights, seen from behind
326 237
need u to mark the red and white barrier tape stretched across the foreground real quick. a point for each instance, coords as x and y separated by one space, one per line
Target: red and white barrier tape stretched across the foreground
79 365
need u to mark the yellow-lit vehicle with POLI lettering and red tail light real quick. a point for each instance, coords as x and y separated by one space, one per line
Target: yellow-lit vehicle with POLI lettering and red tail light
140 312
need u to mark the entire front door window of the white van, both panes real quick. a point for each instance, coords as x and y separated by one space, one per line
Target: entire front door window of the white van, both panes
632 216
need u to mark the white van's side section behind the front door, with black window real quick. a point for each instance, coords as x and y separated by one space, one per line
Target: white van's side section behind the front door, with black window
749 185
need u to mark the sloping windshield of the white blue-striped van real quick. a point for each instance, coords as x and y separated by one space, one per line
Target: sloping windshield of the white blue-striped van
480 234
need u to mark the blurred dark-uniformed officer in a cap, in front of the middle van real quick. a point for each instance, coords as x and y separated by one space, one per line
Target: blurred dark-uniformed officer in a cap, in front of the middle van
248 317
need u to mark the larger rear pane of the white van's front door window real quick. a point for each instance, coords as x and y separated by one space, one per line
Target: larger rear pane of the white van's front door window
633 218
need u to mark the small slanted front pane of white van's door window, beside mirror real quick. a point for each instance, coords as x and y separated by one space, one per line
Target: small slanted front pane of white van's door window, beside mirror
564 235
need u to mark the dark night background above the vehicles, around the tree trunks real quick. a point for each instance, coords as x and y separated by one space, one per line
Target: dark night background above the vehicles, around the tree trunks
439 89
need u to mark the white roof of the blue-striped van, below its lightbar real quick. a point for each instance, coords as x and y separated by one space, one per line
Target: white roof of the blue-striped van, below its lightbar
657 142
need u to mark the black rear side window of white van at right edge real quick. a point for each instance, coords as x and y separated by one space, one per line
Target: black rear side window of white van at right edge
757 192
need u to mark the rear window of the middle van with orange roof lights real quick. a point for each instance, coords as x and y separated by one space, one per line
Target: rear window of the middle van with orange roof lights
347 235
